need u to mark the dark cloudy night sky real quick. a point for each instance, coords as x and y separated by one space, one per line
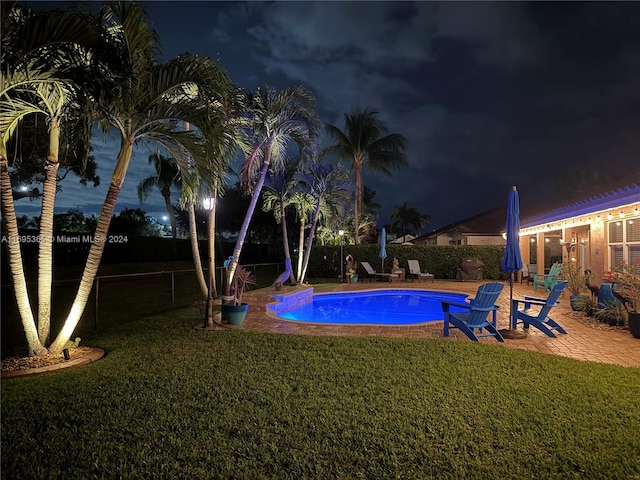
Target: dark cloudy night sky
541 95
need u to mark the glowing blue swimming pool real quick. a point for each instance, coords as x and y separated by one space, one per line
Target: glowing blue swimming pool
374 307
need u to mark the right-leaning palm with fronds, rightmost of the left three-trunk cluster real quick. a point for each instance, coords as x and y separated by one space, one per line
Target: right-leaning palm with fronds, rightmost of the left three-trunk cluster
148 102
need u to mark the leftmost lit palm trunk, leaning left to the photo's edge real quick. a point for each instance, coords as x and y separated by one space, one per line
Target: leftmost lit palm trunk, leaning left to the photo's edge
15 259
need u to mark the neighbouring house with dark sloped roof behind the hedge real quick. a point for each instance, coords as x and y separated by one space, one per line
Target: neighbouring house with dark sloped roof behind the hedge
483 229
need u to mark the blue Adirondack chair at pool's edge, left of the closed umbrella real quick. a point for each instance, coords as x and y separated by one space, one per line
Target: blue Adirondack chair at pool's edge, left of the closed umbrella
475 313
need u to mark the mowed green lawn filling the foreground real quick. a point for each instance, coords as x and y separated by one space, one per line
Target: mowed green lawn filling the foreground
169 401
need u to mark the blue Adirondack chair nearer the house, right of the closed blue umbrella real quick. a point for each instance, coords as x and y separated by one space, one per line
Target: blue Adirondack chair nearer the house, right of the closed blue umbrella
538 317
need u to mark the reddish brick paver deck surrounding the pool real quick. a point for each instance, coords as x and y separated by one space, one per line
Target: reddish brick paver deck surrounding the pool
586 340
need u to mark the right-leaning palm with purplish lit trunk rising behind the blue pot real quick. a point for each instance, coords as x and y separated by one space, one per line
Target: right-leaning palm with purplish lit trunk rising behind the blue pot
276 120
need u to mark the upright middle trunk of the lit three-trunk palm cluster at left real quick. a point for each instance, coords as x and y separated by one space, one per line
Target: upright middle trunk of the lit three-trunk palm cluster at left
45 248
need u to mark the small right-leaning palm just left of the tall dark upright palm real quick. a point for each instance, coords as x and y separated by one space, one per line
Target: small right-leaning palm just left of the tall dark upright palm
330 189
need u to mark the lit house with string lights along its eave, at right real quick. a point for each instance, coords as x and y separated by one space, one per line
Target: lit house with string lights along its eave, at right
597 232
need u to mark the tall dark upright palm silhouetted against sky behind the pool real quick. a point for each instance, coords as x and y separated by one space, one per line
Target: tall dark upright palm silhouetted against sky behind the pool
364 142
